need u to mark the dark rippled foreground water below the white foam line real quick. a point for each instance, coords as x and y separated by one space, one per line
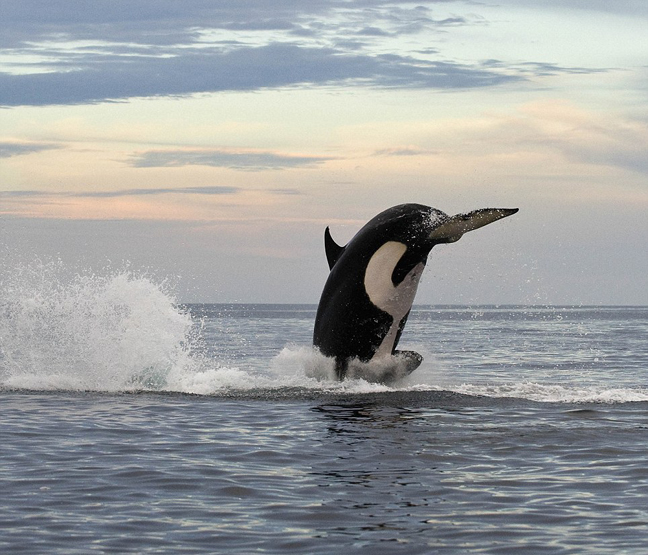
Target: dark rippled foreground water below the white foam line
382 473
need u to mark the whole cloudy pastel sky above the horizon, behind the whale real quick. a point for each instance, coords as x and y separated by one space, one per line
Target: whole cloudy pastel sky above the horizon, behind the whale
209 143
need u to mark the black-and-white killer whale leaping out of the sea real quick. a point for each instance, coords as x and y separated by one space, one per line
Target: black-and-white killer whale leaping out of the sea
372 283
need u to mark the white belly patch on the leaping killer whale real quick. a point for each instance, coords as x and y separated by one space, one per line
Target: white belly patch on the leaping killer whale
395 301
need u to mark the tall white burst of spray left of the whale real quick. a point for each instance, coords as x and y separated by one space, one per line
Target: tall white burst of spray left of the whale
105 332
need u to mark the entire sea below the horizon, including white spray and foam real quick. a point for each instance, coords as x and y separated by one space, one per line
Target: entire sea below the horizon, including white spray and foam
130 423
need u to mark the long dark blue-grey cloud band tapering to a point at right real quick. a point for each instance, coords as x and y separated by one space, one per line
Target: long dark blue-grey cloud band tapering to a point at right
99 78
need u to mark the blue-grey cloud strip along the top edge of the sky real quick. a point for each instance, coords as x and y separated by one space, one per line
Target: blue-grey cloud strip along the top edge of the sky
166 22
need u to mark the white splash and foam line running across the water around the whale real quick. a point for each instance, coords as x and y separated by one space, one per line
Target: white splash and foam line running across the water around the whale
122 331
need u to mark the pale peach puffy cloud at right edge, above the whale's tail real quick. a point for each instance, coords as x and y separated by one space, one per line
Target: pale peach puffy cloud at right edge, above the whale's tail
551 127
